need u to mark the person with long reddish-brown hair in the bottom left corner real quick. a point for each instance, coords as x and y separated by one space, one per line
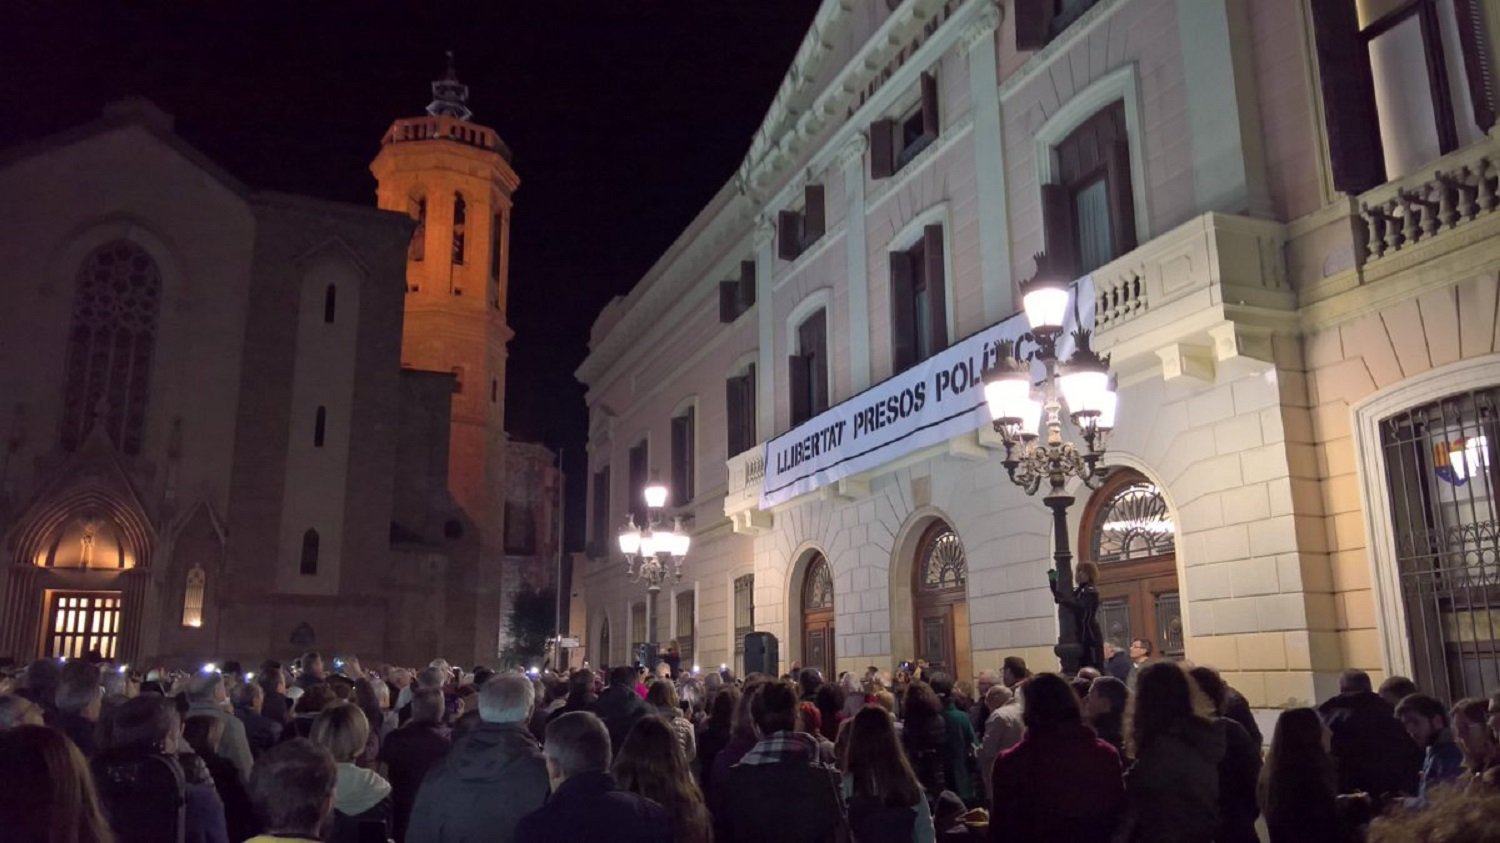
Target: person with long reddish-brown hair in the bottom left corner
47 794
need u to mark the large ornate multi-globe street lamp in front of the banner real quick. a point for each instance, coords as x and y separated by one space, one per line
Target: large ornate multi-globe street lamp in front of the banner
1030 421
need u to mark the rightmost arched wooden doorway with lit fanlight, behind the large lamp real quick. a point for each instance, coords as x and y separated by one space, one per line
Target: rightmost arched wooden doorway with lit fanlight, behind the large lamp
1129 532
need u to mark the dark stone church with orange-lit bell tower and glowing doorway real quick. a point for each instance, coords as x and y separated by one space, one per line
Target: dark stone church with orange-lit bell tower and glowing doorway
245 424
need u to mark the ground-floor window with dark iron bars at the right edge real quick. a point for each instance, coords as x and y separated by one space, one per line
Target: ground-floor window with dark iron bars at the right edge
1445 484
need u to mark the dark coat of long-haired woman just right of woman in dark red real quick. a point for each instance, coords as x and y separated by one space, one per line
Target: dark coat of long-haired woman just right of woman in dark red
1172 791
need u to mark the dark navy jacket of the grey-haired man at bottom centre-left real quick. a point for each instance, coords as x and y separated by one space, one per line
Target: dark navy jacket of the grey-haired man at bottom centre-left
592 806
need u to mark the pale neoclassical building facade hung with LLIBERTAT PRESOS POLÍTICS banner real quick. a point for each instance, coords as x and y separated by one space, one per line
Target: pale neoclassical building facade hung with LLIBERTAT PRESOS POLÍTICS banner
1282 220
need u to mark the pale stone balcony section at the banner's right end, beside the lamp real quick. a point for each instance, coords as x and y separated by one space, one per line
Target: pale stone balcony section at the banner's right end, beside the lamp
1210 290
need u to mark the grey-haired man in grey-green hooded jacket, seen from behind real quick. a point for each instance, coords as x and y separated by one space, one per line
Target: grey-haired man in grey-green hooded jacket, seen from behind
458 800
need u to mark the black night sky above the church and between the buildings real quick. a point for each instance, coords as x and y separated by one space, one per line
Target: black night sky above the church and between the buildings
625 118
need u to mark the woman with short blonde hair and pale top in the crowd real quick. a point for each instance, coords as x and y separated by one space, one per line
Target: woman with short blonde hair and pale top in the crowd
361 797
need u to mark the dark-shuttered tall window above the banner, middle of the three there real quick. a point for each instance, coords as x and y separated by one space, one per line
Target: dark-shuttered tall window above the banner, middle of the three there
919 301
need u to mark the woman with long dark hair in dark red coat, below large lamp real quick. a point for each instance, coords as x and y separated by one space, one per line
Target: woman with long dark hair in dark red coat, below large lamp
1037 784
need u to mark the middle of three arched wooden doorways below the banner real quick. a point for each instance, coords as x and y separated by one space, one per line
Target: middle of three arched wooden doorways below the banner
940 590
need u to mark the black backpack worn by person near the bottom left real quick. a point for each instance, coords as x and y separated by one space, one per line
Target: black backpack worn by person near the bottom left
145 797
